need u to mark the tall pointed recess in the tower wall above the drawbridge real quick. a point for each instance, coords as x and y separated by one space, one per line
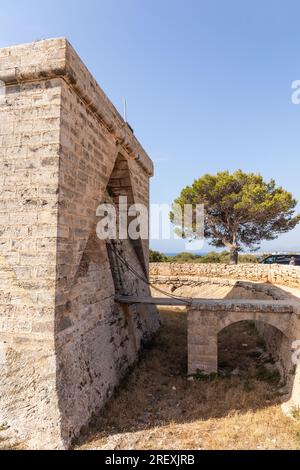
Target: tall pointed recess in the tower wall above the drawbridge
120 184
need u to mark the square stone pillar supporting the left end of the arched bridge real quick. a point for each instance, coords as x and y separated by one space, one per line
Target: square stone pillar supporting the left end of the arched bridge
202 341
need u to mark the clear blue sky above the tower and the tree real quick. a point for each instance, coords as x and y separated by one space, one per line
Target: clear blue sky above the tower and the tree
208 83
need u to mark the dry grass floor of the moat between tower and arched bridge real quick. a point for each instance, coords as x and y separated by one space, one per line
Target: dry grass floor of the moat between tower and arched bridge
158 408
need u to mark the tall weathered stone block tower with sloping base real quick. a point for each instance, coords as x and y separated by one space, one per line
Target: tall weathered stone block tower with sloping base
64 343
